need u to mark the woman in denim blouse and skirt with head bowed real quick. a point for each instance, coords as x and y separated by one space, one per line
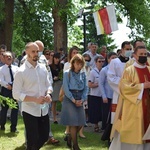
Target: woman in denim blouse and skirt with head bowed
75 88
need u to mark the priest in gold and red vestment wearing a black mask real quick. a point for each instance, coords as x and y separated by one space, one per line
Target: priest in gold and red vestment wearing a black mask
135 117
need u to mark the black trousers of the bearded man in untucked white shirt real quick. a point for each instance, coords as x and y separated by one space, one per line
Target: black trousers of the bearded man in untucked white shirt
37 130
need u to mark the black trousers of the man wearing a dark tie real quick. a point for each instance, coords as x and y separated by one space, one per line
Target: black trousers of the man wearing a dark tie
4 109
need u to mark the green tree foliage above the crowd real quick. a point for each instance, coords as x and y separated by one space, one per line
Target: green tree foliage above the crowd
33 20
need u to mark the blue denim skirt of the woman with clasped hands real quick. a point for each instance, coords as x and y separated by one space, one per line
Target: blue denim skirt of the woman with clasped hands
72 115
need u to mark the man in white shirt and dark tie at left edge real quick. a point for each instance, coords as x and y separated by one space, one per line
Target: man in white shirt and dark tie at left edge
7 72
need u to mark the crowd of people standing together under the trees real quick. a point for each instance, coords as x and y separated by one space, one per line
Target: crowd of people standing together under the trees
107 89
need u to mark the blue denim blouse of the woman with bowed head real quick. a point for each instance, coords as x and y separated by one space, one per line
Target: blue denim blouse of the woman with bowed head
74 81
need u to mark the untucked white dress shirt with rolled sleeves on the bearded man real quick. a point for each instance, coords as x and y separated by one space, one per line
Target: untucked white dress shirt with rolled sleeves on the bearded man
31 81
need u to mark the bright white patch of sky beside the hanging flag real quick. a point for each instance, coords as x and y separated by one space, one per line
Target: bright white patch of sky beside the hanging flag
121 34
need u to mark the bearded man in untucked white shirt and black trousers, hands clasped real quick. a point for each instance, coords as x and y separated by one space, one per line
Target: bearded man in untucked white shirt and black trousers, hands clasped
33 88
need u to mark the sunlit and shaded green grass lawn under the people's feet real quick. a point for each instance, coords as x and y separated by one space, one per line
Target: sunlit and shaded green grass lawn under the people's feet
10 141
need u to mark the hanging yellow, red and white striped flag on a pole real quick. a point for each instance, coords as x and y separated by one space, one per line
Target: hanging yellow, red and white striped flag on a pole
105 20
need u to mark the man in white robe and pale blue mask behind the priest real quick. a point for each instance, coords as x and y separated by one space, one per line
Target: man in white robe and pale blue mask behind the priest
115 72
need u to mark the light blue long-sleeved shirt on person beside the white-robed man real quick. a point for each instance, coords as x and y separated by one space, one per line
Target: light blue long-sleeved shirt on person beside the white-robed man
105 88
